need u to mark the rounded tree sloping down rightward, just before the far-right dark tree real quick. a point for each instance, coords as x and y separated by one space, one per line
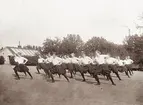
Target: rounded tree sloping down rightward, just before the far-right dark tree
105 47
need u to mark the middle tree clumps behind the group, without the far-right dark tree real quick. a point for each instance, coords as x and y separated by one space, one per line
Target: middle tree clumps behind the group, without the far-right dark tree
74 44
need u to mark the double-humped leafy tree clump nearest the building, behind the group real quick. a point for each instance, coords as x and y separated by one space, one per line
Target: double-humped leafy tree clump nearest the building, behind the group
69 44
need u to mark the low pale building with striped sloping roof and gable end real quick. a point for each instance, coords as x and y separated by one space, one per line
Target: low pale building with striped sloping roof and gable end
11 51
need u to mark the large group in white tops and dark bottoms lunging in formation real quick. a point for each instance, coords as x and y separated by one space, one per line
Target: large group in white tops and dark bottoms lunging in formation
98 65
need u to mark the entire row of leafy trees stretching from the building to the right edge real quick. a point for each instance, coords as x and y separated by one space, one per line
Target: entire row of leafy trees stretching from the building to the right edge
132 46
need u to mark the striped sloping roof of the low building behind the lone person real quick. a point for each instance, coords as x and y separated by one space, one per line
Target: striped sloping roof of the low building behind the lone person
23 51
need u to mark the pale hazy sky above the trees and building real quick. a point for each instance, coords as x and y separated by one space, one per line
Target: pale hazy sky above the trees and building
32 21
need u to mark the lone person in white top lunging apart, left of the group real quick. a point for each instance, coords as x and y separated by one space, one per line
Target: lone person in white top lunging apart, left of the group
20 65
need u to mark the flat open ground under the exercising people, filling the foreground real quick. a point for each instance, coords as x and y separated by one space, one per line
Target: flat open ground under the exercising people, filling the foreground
38 91
